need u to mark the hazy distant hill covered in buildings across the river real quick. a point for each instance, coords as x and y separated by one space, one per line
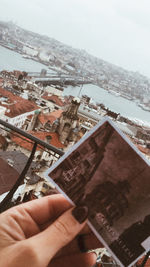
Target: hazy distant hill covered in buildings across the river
53 53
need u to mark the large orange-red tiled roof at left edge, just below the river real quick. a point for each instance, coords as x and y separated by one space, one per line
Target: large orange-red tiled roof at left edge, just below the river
16 104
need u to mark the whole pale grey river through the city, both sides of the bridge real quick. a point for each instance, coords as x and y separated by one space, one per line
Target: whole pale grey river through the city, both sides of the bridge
10 60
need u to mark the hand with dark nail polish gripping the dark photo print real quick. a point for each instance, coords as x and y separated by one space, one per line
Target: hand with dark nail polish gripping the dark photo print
31 234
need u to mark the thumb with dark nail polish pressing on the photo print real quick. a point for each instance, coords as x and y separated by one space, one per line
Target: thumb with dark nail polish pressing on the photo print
47 243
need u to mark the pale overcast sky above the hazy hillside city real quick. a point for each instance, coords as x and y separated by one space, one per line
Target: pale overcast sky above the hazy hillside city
114 30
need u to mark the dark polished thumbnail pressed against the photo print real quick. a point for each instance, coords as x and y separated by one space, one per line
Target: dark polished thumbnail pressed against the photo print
80 213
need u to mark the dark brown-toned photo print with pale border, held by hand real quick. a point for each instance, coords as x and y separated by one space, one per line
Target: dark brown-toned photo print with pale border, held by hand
105 173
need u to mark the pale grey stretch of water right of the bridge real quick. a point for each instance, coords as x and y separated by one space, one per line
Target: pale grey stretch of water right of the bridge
125 107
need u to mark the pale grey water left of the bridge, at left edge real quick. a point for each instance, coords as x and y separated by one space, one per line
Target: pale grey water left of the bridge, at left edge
10 60
